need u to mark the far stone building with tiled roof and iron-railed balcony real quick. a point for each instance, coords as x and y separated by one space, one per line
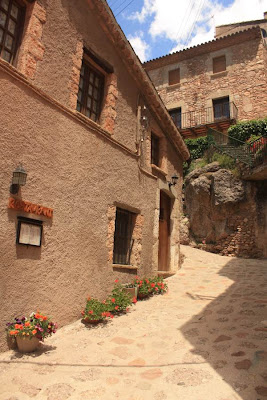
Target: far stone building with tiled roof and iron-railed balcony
216 83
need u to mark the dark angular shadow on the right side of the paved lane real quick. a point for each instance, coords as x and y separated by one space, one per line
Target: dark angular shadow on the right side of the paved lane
230 333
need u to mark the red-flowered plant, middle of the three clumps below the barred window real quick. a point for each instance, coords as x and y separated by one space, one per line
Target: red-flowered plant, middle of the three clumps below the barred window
119 300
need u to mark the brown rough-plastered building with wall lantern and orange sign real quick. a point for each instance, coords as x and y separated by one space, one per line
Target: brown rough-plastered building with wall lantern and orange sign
102 156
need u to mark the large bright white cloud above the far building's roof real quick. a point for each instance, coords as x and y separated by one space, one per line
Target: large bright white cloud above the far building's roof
188 23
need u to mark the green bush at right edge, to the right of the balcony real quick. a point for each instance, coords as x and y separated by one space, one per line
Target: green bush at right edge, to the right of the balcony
244 130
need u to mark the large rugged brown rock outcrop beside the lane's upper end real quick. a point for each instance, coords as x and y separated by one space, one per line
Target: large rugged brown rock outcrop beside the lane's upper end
225 214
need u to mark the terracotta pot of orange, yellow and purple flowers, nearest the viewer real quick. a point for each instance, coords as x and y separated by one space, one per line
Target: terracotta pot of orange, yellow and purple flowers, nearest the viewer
28 332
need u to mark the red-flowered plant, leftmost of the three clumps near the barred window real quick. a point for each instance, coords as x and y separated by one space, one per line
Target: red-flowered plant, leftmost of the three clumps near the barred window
95 311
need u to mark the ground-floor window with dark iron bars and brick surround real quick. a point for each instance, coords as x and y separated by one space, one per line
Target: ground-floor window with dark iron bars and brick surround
123 236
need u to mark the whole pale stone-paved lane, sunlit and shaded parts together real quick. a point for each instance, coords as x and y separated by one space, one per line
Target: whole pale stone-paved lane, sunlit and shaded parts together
204 340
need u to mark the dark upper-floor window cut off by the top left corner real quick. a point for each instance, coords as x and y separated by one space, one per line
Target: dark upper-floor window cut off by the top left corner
11 21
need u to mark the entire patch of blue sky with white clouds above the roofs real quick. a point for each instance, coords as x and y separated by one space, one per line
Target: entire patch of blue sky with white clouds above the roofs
159 27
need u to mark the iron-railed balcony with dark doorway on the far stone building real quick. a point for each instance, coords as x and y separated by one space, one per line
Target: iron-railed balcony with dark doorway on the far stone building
219 117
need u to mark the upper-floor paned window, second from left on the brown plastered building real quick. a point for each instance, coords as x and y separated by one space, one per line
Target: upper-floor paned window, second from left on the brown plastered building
90 93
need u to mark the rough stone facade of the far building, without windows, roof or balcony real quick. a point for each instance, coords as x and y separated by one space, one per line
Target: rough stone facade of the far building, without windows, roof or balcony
244 80
